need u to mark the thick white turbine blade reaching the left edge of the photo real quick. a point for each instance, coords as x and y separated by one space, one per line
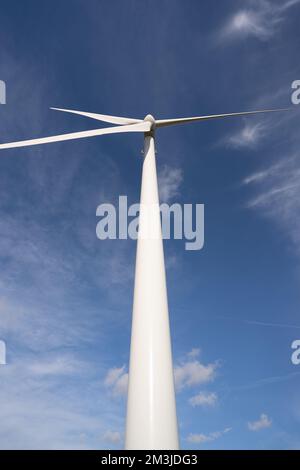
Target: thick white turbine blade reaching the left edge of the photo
140 127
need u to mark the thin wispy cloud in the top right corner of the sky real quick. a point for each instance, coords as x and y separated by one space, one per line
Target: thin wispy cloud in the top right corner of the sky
260 19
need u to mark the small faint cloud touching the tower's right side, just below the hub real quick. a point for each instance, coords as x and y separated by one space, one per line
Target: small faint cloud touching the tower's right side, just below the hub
170 179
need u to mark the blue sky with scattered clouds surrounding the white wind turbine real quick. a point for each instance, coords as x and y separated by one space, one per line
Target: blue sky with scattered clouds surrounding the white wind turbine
66 297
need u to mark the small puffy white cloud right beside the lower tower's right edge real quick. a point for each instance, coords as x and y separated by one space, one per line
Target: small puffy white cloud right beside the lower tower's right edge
193 372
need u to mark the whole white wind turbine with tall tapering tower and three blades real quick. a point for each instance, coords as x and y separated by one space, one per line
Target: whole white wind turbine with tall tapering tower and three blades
151 410
